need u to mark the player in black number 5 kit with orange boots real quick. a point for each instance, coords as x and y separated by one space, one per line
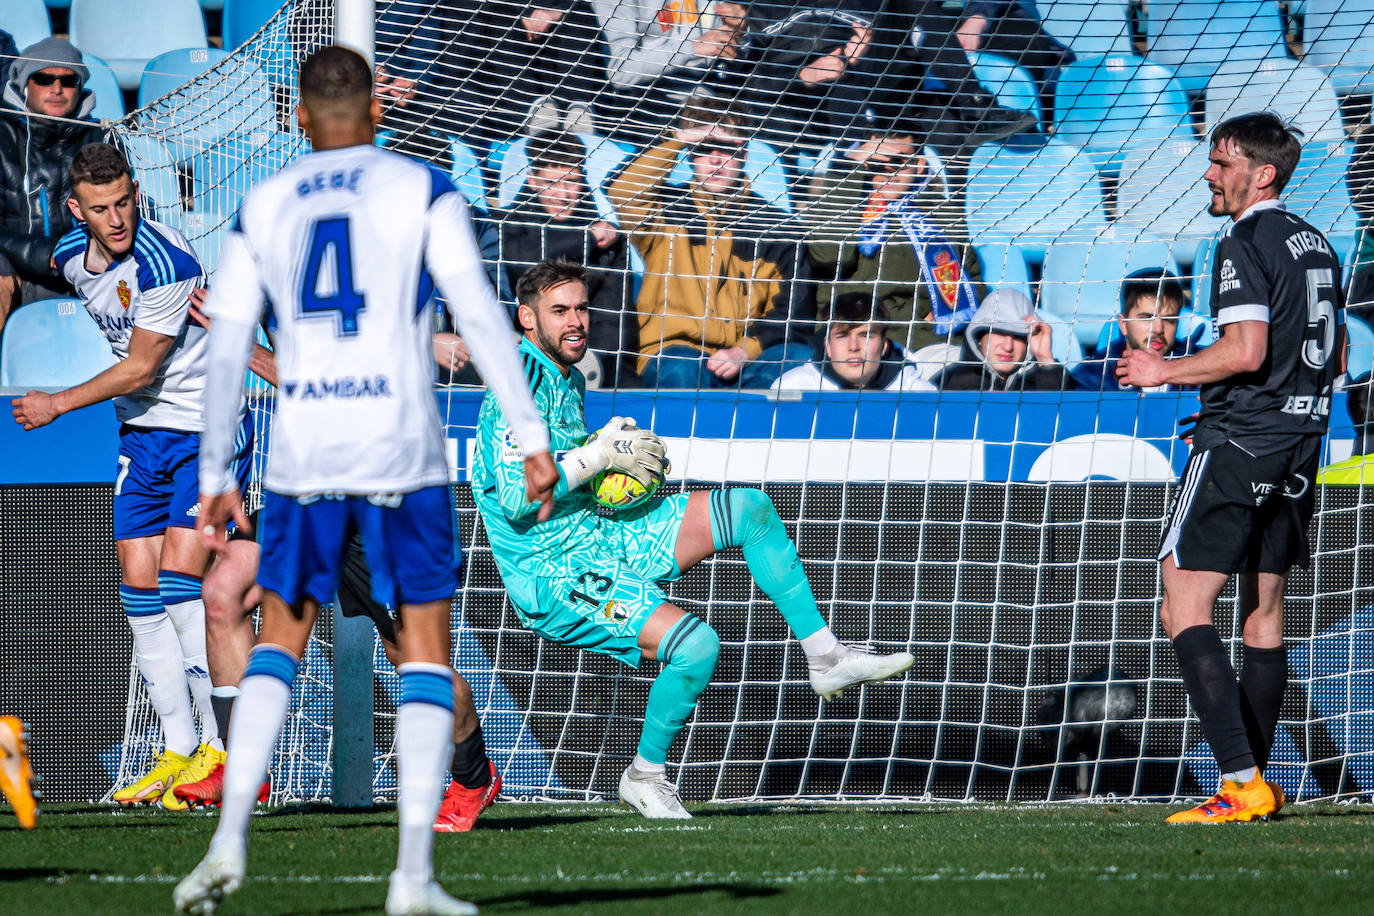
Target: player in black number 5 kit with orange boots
1246 499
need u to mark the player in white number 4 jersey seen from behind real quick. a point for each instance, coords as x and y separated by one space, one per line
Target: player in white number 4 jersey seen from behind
343 245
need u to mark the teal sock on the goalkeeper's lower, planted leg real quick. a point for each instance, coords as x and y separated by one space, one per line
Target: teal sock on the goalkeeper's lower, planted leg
689 653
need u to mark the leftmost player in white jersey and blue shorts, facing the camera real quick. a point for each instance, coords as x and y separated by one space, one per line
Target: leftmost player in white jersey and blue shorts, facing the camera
135 278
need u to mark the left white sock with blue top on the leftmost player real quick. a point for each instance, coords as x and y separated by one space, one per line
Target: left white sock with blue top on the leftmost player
159 656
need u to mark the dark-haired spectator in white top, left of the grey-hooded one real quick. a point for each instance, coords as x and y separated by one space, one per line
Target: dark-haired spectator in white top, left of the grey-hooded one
854 354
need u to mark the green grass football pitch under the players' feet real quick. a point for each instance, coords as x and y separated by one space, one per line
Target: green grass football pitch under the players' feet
729 859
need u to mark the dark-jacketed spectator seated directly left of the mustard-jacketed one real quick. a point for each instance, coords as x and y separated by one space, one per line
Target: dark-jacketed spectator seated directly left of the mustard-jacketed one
556 218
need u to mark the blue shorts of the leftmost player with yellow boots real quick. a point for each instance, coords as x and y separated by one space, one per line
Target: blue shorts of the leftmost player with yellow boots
157 485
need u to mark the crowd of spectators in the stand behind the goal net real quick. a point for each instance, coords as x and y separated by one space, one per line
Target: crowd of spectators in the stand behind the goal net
864 279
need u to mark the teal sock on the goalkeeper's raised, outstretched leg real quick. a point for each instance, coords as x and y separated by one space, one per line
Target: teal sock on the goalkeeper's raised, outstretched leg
745 517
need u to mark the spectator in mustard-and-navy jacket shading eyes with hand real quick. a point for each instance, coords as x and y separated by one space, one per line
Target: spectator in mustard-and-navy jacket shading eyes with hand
728 299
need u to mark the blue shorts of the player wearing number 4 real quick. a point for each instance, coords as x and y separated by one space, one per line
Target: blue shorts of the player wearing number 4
409 540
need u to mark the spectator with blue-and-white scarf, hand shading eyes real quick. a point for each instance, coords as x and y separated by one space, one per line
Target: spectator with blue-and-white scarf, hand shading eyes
880 220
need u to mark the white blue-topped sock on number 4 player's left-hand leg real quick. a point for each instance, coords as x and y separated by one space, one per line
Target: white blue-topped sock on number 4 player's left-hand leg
264 698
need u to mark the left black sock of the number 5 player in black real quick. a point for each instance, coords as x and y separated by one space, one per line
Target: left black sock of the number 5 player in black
1217 697
